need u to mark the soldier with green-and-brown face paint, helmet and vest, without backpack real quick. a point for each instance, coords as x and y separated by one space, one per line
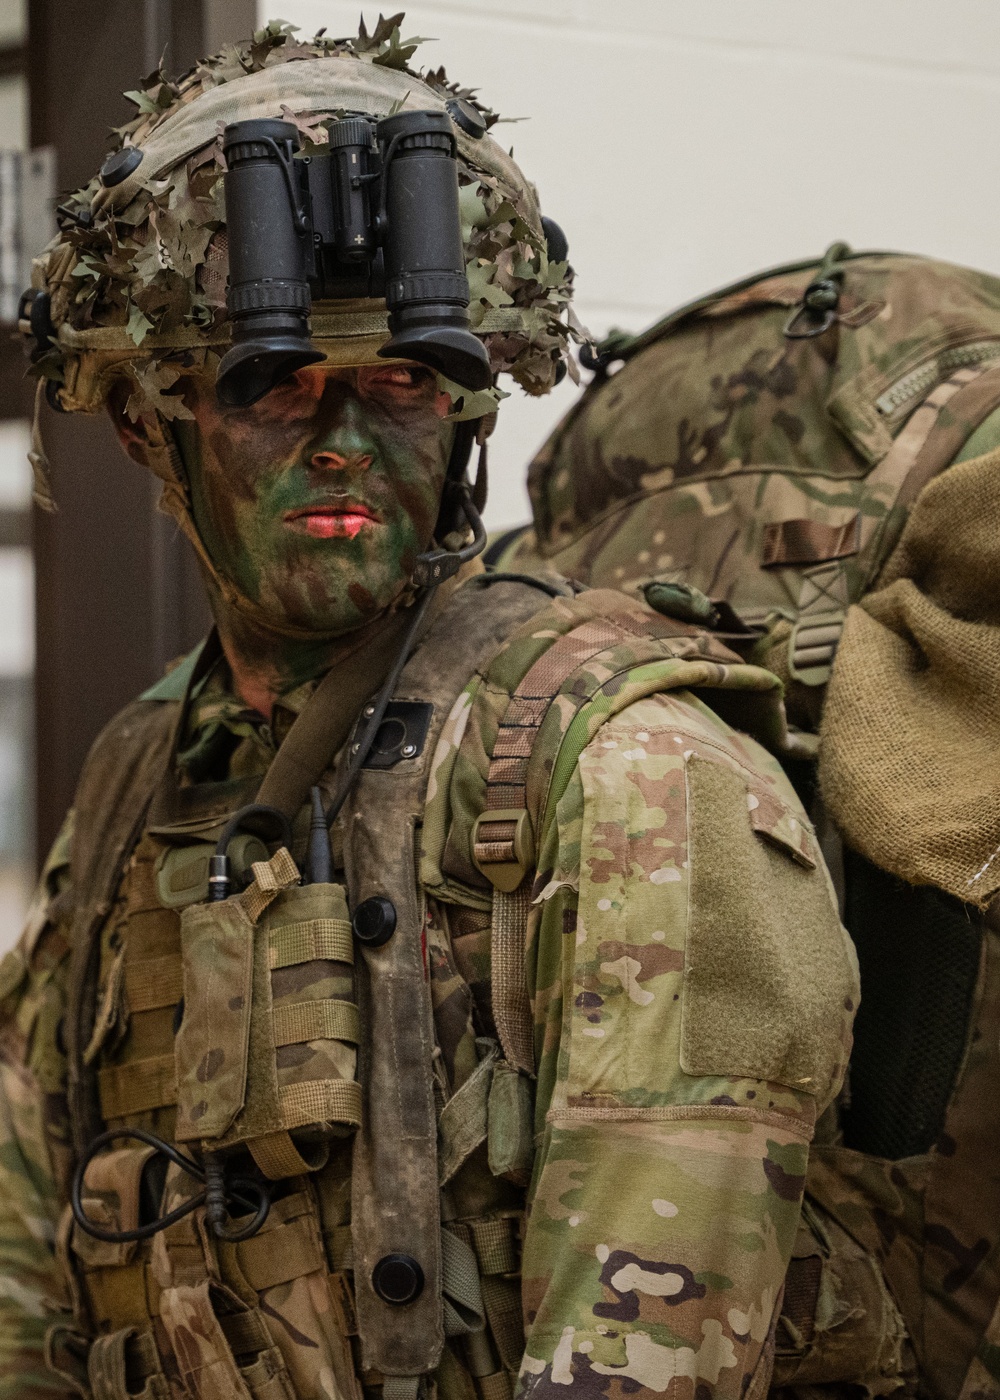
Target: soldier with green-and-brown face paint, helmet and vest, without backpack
431 989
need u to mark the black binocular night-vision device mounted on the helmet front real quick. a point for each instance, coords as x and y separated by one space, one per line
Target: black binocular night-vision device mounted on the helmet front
373 215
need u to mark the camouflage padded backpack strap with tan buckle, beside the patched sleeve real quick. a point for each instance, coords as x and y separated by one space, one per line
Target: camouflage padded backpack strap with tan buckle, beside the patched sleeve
595 670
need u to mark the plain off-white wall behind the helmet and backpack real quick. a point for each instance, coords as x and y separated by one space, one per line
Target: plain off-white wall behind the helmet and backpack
684 143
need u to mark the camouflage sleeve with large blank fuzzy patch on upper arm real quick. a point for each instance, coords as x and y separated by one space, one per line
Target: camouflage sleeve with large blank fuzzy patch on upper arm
694 993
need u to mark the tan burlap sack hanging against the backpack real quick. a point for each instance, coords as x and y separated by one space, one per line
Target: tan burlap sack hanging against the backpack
910 758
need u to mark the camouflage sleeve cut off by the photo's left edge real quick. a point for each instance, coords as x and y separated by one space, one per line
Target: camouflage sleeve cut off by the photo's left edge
32 1119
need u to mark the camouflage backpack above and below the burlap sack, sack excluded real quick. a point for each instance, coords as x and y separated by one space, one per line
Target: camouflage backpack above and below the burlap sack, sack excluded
765 444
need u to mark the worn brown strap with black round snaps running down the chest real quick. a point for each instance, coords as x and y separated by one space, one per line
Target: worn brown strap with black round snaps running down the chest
394 1168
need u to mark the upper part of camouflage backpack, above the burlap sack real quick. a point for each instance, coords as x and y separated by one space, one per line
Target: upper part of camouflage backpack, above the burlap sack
764 443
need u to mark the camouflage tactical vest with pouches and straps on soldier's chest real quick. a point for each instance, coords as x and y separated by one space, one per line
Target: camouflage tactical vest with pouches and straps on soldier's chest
428 1193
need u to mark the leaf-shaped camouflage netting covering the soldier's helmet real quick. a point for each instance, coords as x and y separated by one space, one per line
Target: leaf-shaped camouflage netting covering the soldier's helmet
158 267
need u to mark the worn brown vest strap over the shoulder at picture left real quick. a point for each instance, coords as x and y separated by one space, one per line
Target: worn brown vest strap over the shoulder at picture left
120 778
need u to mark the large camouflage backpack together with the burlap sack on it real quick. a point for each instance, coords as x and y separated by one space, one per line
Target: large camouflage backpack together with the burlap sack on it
820 449
